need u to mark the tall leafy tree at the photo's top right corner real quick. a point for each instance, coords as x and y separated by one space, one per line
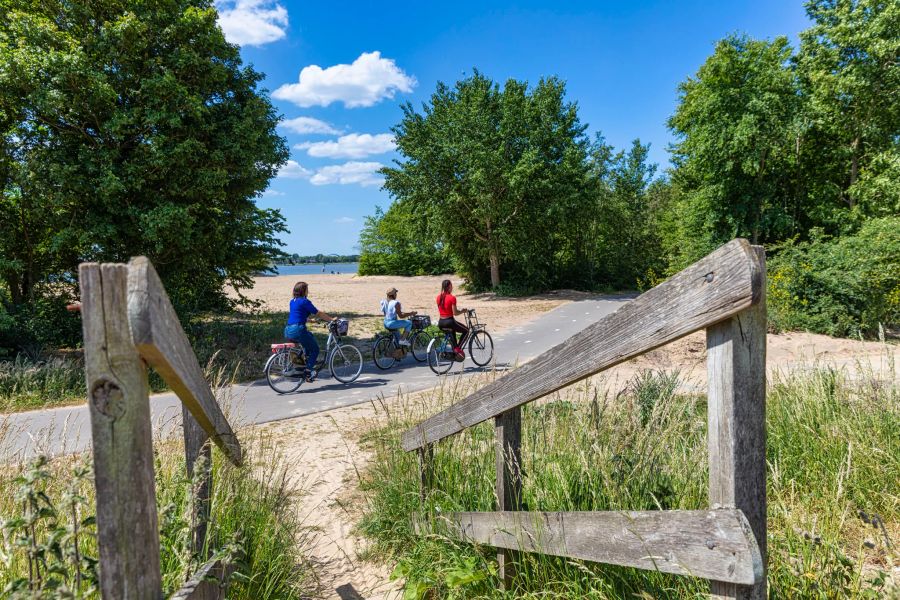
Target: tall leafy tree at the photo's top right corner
850 78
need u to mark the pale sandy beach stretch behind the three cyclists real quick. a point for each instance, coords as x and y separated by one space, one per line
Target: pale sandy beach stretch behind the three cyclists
358 298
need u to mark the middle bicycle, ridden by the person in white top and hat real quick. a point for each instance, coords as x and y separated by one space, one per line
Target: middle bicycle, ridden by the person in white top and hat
286 368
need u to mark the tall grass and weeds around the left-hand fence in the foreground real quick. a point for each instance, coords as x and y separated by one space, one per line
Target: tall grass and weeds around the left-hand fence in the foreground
46 521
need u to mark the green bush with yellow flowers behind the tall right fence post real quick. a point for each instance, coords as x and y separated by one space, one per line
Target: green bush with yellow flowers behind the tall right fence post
846 286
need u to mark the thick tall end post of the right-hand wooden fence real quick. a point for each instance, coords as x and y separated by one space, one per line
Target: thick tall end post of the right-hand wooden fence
736 364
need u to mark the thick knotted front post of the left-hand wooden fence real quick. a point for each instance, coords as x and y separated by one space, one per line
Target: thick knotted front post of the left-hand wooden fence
118 401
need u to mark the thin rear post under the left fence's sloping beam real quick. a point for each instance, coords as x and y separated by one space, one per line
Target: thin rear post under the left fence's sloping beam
196 445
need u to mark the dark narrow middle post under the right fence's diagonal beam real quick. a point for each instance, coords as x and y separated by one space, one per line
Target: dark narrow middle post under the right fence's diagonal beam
508 441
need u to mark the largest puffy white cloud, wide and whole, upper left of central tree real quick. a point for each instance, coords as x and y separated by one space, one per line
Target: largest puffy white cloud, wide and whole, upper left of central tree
367 81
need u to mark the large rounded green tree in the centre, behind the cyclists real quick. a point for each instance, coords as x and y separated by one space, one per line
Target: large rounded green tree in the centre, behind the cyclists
499 170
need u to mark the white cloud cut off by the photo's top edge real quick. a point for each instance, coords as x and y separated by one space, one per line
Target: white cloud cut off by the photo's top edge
252 22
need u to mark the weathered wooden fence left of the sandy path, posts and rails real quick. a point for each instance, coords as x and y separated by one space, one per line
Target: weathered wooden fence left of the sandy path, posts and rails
129 323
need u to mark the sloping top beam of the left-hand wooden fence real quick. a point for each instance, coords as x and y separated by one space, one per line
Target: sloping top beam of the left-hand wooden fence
160 340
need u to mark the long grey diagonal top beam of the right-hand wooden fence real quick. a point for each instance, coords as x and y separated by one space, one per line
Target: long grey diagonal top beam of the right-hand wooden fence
711 290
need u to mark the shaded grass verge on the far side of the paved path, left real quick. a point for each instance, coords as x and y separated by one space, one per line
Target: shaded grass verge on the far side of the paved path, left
237 342
